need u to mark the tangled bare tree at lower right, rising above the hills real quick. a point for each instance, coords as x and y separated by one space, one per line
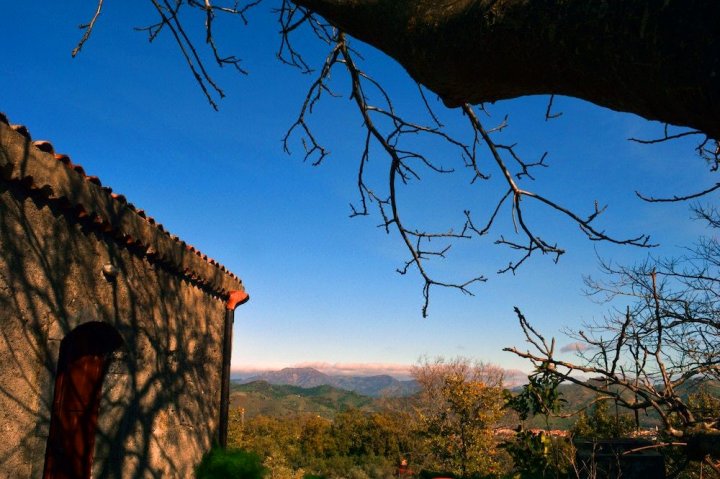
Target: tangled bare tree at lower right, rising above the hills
665 341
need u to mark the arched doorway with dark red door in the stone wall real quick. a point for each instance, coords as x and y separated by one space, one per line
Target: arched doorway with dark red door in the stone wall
82 364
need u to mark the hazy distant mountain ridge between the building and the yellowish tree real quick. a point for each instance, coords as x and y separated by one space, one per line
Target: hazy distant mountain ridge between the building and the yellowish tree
375 386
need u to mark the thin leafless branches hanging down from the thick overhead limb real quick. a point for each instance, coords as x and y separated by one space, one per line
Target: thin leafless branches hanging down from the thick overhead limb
386 130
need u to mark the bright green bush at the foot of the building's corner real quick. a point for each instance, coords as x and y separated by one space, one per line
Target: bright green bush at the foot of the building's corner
230 463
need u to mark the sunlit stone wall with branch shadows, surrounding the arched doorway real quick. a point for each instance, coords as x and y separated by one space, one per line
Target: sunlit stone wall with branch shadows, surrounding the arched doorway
161 396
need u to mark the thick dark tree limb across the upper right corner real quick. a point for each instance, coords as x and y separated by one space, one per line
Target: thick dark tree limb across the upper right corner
657 58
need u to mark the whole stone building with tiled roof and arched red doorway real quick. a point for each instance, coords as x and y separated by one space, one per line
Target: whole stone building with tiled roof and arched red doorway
114 334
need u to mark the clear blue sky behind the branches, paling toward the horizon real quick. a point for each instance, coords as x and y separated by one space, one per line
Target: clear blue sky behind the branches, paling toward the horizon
323 287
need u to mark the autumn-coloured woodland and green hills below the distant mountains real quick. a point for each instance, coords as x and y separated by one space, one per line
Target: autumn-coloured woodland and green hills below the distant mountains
323 431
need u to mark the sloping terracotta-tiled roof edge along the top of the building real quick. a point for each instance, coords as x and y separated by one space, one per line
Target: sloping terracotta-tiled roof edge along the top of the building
108 210
